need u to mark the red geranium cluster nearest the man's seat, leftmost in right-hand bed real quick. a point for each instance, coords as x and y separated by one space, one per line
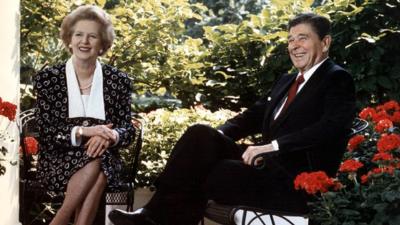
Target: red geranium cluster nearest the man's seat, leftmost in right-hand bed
314 182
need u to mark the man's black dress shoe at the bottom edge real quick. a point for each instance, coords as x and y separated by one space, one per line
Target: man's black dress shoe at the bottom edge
139 217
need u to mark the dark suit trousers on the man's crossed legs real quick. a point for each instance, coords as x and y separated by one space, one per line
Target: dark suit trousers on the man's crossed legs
205 164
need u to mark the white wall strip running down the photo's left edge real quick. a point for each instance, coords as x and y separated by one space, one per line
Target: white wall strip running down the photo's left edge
9 86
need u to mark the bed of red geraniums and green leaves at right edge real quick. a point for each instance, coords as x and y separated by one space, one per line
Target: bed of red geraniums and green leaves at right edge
366 189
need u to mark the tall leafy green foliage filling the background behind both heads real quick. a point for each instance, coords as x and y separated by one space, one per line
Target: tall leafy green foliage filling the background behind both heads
230 65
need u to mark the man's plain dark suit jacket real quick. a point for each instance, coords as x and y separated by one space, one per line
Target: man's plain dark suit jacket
312 132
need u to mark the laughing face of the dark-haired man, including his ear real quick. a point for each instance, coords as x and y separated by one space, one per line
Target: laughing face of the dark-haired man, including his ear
305 47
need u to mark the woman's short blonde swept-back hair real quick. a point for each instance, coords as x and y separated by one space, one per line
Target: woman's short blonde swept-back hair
93 13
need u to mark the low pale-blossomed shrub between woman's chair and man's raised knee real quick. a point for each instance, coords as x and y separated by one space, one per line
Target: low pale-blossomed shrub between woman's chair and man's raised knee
162 129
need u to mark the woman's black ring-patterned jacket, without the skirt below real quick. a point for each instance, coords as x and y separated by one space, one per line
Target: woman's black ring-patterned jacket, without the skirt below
52 119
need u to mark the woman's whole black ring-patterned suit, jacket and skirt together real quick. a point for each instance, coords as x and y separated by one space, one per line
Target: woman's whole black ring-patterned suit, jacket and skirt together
58 159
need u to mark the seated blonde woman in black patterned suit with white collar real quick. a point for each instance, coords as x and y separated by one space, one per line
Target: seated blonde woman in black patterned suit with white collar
83 116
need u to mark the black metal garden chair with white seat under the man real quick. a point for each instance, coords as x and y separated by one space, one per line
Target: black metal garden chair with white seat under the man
245 215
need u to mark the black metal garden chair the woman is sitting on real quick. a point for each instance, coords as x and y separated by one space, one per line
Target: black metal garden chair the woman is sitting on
32 191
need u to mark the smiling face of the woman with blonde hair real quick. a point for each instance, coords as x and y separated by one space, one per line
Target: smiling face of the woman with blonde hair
85 41
